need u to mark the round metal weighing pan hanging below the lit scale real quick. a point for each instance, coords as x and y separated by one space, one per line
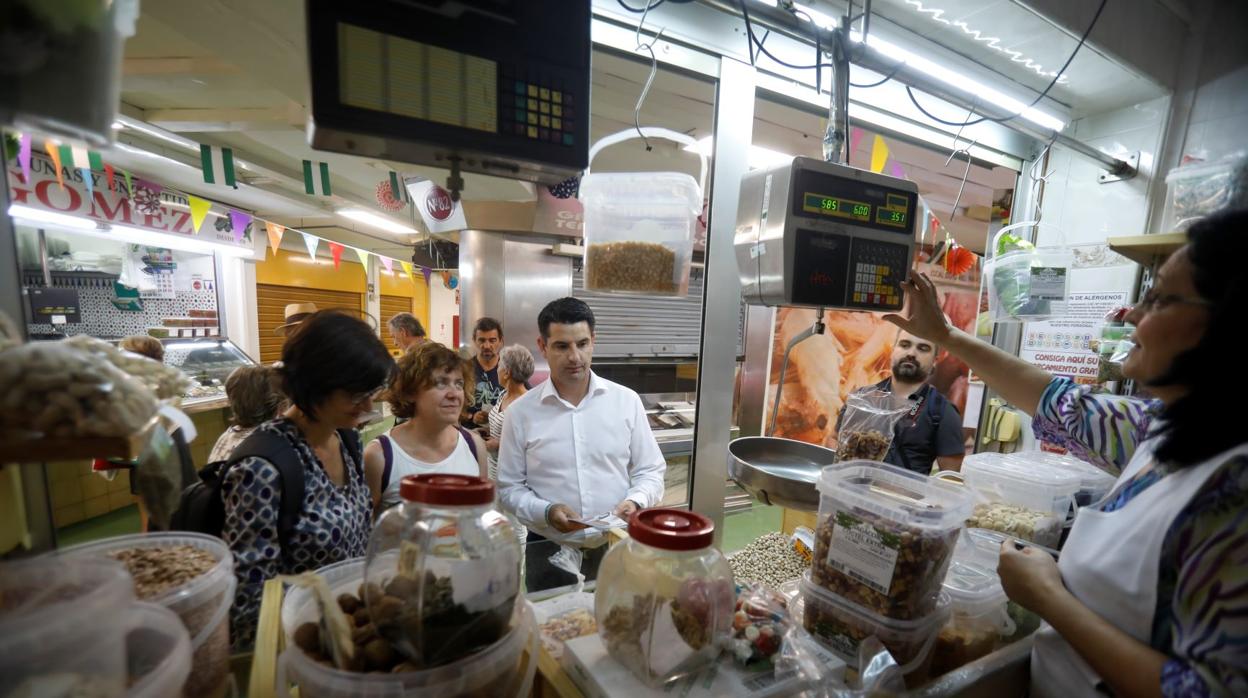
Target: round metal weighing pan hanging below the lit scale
779 471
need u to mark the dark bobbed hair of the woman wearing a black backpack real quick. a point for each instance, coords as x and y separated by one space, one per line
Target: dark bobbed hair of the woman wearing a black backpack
333 350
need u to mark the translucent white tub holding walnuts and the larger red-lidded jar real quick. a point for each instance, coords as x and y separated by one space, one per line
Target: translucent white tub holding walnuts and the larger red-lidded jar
496 671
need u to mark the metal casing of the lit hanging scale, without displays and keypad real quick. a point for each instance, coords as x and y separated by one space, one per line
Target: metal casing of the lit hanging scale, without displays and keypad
768 232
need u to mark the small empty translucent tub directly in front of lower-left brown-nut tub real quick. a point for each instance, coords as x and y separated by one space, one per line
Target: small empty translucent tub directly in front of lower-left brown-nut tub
158 654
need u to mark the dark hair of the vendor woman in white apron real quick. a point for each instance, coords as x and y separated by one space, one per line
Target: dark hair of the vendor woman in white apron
1200 425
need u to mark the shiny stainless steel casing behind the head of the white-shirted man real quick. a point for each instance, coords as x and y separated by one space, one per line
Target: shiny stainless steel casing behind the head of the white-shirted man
510 279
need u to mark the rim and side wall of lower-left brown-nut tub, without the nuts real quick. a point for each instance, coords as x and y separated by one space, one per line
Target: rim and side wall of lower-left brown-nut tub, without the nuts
203 604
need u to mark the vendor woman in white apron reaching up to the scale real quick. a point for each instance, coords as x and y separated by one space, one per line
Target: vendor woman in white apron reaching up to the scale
1151 595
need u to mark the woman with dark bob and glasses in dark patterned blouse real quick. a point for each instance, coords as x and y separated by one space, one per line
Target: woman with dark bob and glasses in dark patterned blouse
334 368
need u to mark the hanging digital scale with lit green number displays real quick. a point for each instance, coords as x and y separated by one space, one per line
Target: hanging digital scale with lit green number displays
818 234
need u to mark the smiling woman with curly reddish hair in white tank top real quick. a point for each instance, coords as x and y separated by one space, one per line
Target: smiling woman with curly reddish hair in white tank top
430 389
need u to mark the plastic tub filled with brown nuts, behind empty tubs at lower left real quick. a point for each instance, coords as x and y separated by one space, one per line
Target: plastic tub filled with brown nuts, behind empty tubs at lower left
193 576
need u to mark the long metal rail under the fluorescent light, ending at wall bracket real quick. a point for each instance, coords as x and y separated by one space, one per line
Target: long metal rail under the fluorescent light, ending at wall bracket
779 21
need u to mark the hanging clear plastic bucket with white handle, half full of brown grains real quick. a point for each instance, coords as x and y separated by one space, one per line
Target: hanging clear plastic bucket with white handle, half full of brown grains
640 227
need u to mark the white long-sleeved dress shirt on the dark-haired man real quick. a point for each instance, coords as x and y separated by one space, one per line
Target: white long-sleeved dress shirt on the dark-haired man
590 456
